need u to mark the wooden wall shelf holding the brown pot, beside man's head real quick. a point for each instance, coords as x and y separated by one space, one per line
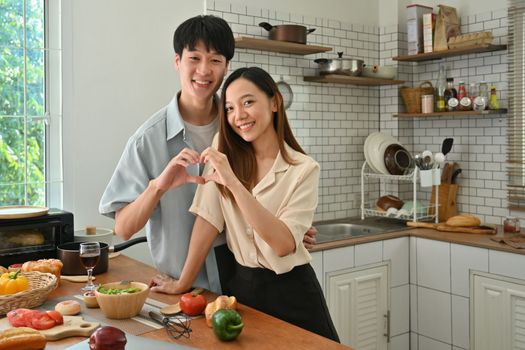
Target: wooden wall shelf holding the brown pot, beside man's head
278 46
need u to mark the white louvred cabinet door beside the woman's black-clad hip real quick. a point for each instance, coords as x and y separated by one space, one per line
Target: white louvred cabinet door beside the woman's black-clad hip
358 303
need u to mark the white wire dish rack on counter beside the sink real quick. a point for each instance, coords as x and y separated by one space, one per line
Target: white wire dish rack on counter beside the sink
369 209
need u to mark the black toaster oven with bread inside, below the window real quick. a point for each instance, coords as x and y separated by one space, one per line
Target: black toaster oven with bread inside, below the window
34 238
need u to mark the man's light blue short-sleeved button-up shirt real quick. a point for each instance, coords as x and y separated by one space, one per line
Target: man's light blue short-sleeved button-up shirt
169 228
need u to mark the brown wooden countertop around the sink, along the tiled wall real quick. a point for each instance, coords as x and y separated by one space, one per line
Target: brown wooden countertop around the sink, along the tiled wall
475 240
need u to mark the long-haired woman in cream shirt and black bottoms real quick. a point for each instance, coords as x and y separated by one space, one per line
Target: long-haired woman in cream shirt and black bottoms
262 189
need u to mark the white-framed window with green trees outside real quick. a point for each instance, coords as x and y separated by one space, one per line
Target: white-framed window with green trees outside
30 114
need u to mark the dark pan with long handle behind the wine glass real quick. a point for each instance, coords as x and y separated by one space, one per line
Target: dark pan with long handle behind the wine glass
69 253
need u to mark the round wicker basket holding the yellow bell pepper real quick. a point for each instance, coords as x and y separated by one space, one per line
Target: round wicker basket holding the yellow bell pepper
40 286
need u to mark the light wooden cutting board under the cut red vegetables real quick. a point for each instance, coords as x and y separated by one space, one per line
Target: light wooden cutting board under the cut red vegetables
73 326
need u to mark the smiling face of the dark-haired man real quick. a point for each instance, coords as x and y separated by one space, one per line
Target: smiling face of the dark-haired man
201 71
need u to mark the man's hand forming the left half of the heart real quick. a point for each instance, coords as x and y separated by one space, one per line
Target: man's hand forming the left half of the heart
175 174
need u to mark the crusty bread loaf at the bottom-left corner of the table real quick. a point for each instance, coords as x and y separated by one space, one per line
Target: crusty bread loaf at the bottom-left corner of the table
22 338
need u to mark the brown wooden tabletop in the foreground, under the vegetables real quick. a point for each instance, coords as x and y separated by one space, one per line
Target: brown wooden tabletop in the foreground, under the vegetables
261 331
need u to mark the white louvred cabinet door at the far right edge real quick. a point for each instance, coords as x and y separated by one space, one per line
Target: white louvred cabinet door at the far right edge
497 312
